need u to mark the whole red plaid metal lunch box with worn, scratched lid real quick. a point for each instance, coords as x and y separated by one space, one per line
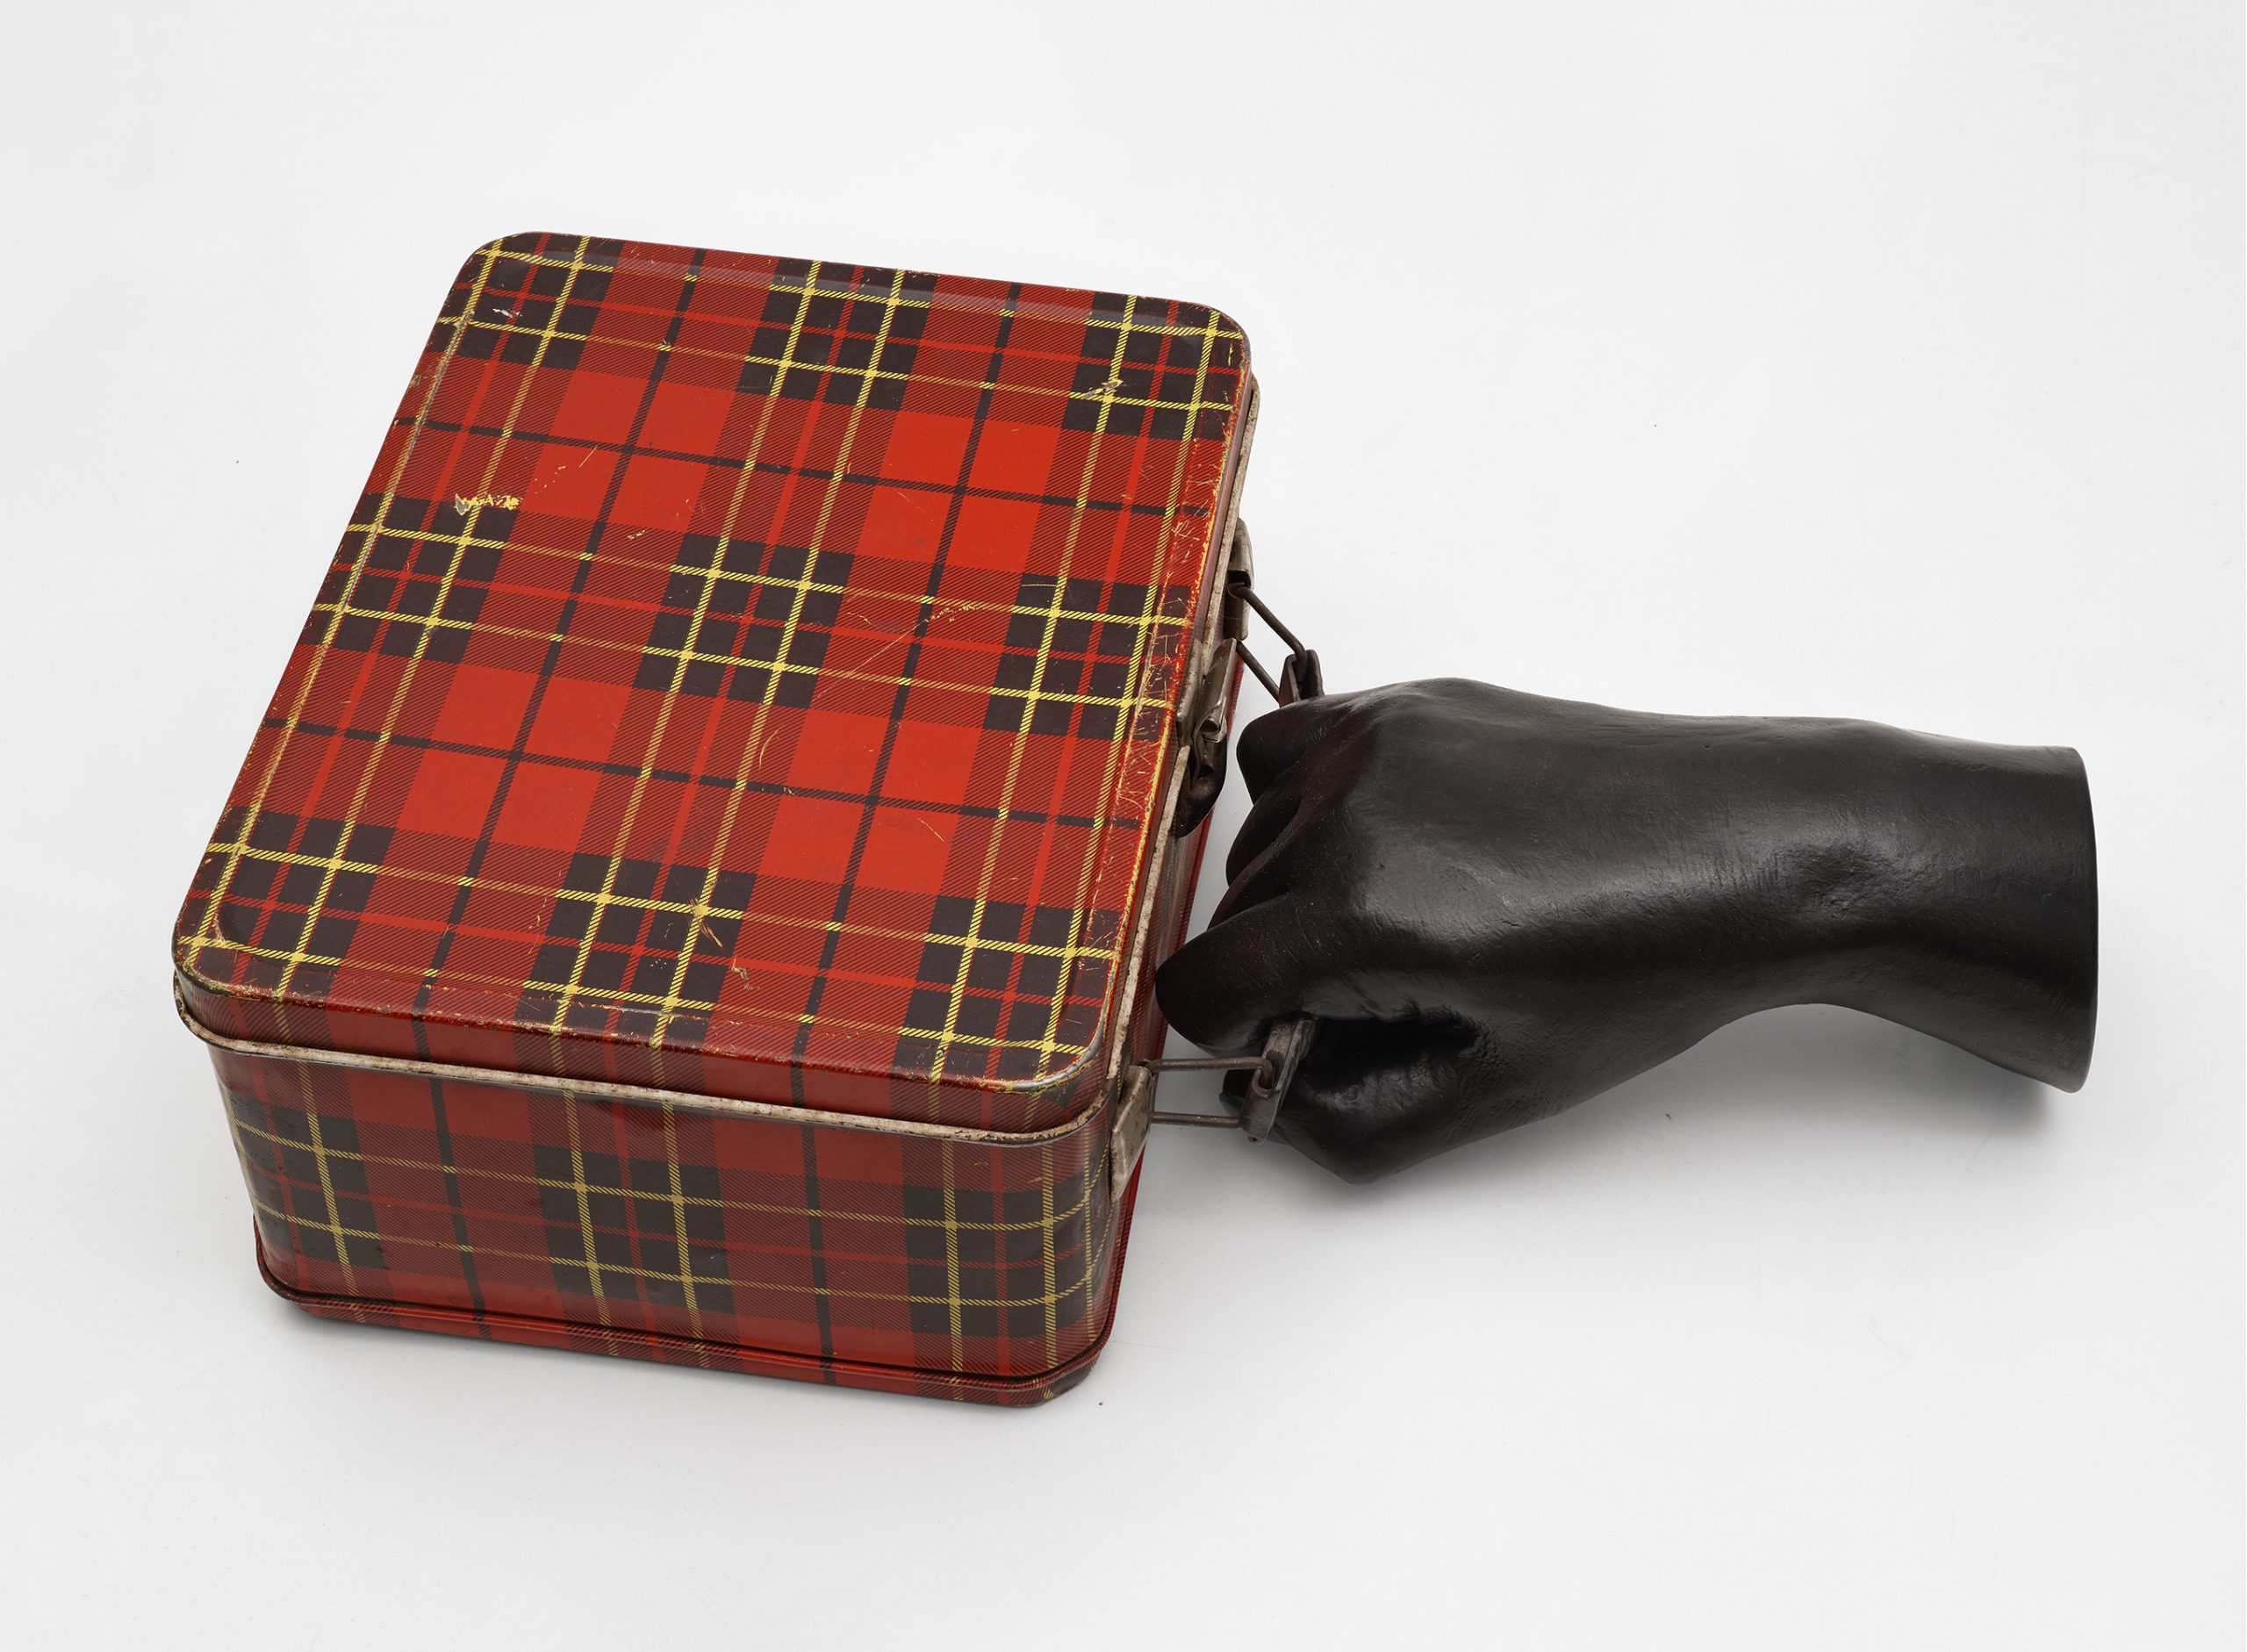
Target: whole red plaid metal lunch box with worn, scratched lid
698 887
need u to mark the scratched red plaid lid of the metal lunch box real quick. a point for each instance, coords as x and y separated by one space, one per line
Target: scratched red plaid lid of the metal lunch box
747 678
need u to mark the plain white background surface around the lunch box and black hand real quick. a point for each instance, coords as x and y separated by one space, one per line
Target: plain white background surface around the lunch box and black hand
1720 358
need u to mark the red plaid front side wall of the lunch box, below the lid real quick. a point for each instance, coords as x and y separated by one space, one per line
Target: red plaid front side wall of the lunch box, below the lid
749 1244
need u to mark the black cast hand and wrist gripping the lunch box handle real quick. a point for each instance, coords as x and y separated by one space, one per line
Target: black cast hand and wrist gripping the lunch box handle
1502 905
